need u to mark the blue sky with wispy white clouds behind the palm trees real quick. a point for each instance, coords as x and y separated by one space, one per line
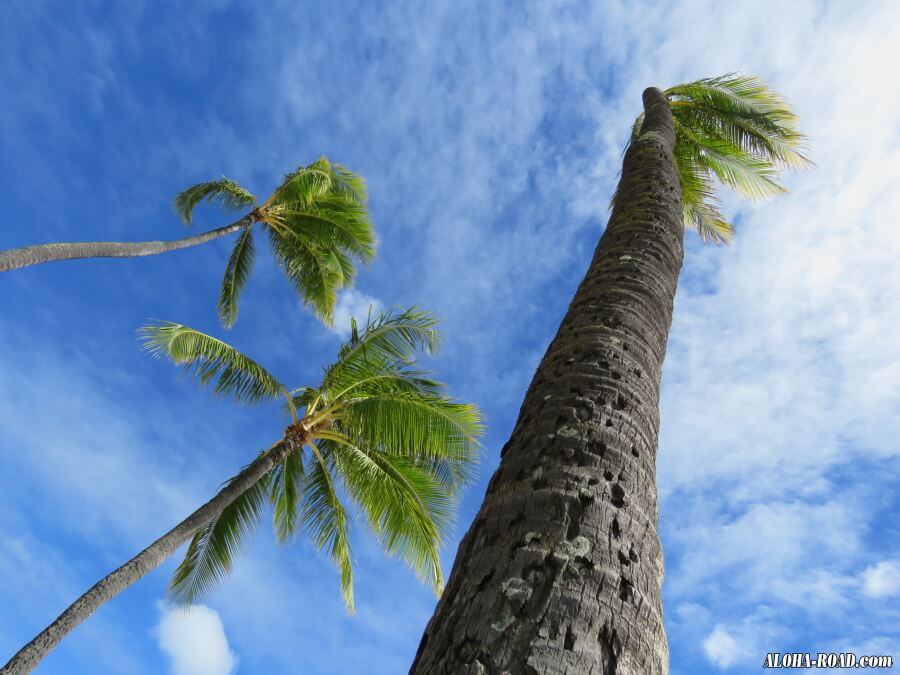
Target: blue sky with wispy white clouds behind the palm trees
490 137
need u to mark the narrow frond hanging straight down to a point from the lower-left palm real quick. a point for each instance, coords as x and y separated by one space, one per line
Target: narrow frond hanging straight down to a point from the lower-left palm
324 518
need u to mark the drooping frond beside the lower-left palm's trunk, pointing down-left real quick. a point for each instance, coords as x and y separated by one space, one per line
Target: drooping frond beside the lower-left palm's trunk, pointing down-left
211 552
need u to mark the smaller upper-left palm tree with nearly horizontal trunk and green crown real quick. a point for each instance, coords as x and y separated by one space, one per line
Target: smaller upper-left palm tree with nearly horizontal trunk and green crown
316 220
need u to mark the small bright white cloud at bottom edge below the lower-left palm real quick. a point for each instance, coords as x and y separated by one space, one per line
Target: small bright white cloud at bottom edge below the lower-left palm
195 642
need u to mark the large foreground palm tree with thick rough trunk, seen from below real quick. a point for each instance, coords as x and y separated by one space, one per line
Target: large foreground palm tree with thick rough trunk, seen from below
562 568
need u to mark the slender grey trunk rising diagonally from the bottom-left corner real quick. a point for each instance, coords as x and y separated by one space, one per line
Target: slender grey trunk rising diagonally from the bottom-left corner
27 658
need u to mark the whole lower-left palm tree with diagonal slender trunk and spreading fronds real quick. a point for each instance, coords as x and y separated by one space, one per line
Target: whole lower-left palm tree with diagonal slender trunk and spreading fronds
376 431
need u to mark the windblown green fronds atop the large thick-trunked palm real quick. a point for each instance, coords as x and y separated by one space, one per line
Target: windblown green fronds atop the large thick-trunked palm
737 130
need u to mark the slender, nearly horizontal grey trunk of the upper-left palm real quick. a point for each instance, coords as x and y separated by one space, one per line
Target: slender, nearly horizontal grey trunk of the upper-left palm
15 258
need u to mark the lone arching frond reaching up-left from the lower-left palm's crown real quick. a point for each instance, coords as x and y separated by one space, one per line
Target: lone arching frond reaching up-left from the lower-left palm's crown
208 359
